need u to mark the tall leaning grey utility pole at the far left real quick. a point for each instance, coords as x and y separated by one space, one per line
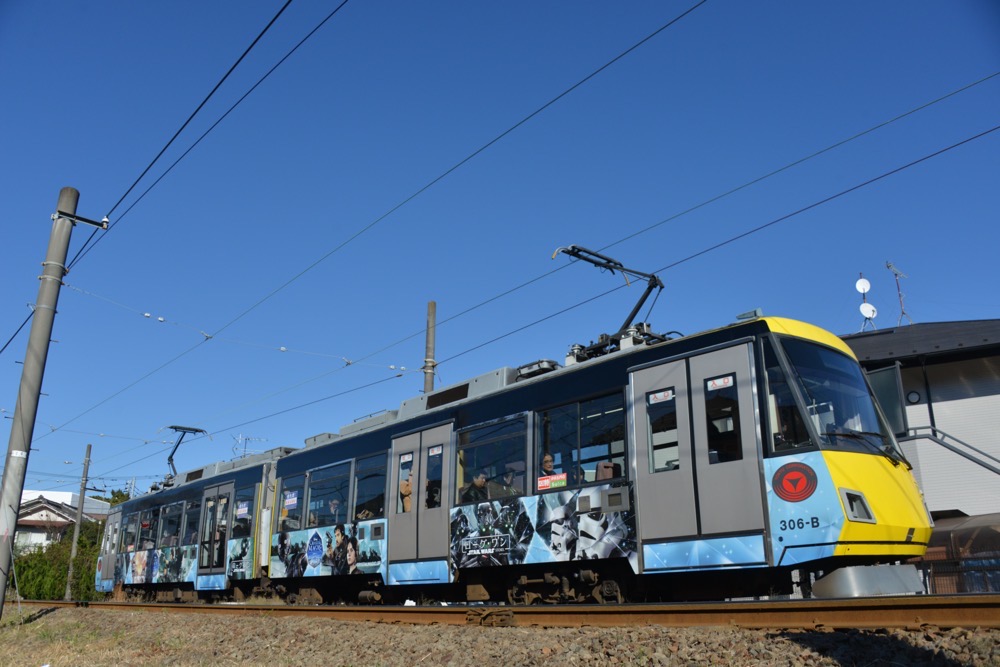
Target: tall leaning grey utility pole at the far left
54 268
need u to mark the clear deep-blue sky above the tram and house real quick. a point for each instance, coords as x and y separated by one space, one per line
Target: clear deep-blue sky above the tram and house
253 236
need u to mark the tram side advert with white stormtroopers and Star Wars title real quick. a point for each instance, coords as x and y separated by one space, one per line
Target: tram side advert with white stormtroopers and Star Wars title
541 529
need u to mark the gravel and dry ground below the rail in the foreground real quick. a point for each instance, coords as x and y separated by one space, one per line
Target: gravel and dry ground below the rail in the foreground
70 636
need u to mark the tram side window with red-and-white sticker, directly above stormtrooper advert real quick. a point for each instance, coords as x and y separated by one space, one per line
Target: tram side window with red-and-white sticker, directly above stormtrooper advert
582 443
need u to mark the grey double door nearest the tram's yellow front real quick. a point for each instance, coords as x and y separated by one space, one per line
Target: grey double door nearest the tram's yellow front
696 443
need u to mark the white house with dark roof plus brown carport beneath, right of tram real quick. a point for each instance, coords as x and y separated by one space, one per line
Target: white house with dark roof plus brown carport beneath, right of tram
939 385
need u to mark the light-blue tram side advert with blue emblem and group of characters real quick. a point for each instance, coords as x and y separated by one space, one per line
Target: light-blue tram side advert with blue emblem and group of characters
329 550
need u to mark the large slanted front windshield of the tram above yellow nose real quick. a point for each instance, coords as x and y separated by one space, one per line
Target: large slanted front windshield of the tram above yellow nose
838 401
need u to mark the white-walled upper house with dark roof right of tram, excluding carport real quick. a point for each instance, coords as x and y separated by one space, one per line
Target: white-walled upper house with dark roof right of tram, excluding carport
939 384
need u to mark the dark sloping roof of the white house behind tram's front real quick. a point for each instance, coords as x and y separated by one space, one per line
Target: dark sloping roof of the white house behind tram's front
930 340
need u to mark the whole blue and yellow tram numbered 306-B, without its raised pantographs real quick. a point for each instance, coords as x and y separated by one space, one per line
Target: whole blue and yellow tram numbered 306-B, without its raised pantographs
744 461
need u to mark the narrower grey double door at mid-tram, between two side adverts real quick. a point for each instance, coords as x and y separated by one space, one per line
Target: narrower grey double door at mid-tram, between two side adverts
421 482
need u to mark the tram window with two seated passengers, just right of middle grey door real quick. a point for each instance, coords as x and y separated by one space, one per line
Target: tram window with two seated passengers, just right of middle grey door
491 460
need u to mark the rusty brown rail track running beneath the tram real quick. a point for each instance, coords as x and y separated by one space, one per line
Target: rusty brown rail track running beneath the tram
909 612
